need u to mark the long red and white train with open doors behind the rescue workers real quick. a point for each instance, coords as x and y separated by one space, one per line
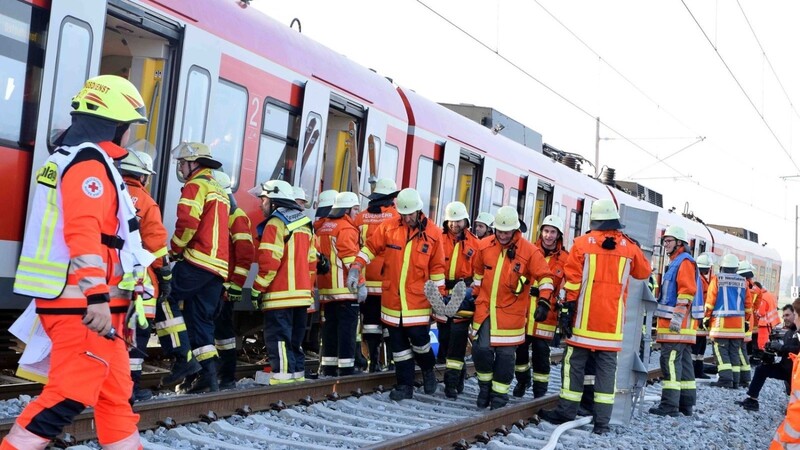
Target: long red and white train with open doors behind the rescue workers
272 103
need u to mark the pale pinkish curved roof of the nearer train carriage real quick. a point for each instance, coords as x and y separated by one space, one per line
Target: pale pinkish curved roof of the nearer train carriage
255 31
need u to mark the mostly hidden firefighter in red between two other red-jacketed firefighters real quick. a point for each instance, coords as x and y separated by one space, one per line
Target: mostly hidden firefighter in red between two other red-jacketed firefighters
241 254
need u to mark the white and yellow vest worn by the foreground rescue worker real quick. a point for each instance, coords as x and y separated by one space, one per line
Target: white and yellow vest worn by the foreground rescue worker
44 261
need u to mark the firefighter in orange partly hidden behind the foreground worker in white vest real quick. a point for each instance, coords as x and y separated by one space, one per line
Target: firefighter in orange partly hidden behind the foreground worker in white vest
136 169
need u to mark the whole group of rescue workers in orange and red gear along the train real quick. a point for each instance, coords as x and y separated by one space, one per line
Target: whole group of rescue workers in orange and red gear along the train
97 260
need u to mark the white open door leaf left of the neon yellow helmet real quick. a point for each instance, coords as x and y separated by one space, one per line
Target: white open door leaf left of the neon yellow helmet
74 46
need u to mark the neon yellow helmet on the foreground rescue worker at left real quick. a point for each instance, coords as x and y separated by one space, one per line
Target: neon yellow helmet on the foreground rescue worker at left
110 97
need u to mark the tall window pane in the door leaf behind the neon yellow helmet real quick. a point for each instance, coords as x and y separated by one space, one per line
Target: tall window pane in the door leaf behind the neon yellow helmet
72 70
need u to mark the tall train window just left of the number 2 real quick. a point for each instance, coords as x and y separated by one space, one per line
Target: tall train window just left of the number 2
225 134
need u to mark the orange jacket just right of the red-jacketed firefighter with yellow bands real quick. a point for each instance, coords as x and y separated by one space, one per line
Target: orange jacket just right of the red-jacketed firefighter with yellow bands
338 240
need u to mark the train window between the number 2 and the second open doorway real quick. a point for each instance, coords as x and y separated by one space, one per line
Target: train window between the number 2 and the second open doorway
277 151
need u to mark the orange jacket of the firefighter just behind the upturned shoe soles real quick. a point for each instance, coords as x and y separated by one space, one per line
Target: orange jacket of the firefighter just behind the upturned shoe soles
458 261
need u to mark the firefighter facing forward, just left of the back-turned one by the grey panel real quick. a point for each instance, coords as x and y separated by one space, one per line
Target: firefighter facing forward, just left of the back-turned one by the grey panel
542 314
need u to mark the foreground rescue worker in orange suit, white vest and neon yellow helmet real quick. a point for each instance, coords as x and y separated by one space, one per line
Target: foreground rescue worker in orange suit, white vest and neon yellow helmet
82 211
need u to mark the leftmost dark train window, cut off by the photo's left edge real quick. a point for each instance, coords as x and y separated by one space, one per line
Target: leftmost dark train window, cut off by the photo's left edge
21 60
